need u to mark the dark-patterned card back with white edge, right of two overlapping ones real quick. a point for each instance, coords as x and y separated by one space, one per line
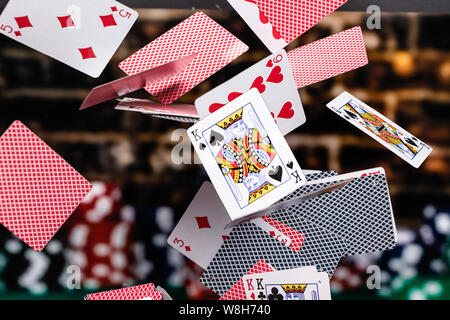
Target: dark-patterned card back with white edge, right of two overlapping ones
367 224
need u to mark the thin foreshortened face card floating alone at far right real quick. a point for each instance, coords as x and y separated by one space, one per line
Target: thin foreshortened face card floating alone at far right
380 128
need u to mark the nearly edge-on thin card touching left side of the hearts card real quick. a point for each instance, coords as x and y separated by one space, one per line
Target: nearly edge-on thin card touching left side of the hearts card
157 109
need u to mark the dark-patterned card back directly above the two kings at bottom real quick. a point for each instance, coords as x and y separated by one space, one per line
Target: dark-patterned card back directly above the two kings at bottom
247 244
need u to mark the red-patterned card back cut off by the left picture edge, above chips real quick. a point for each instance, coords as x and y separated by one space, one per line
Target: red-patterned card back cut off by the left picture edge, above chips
39 190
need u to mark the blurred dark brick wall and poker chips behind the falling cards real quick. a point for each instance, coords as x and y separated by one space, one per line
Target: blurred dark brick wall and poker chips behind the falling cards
118 235
